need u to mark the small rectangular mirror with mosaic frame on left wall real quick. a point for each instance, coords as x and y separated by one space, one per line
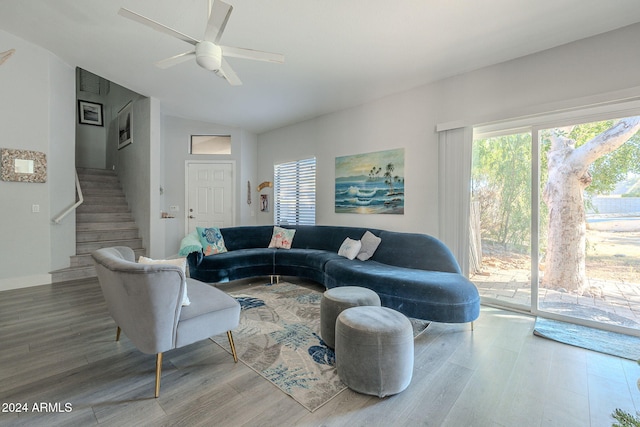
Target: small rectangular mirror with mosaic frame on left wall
24 166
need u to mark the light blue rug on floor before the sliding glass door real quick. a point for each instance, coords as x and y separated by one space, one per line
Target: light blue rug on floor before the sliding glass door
612 343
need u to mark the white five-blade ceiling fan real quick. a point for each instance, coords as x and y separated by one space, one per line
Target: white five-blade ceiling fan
208 53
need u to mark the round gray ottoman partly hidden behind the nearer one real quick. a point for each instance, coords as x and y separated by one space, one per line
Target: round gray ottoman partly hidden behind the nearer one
335 300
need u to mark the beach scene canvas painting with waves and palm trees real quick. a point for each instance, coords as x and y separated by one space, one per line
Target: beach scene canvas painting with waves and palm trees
370 183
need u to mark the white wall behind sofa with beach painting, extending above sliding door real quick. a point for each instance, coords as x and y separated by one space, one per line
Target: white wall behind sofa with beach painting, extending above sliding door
595 69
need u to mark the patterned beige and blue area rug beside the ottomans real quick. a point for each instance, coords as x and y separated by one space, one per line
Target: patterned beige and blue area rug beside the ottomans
279 338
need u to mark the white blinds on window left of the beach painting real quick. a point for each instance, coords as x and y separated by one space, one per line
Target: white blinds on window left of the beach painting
295 192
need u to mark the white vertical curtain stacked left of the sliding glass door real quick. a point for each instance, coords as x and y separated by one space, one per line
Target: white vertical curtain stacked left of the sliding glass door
454 191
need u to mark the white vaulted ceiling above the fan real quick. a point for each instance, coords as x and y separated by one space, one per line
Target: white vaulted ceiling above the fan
338 53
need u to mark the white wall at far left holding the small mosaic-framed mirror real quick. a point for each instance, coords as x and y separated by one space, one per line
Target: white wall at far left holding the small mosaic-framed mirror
31 82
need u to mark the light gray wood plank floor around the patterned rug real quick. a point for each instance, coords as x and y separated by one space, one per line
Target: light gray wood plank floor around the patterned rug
57 347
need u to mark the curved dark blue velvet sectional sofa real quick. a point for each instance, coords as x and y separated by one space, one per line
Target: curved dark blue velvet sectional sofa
415 274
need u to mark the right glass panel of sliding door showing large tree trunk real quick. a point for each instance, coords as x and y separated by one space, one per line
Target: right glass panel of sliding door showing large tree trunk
590 223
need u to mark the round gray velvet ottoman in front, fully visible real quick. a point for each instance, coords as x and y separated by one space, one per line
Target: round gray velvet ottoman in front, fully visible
374 350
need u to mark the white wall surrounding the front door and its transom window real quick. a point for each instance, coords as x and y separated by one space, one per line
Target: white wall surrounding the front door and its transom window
176 135
